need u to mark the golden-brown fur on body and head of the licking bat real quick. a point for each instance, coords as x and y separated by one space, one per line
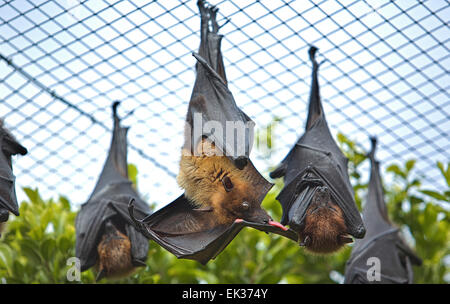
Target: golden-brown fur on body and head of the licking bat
201 178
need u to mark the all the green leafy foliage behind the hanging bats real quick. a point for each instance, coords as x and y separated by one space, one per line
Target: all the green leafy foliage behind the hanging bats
37 244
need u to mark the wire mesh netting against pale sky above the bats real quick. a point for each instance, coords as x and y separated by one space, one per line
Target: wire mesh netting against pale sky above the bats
63 63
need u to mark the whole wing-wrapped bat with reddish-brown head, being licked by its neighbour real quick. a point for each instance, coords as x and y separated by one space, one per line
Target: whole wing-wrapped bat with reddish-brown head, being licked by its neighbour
317 198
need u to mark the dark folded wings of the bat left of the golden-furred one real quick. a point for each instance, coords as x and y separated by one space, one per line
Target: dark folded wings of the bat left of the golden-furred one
109 201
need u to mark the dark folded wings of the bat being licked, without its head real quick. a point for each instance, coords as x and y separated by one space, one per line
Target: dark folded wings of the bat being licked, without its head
315 161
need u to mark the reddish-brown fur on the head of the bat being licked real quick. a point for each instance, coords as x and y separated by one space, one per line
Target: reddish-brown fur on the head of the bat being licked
324 227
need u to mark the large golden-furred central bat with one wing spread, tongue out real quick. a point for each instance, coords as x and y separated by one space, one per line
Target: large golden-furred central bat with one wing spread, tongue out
223 190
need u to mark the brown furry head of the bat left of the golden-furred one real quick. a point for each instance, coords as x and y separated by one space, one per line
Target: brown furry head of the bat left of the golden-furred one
114 251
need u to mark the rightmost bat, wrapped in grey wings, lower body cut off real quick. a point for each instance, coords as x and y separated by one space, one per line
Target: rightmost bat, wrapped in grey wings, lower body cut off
382 240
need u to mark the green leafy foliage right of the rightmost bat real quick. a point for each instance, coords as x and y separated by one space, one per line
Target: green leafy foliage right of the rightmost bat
424 218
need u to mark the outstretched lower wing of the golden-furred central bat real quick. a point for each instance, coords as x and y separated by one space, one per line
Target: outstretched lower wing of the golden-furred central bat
193 234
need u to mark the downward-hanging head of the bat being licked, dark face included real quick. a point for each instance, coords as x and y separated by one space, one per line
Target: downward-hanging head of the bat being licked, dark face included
323 229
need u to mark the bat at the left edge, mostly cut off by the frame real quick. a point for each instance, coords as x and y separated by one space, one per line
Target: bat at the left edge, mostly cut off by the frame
8 201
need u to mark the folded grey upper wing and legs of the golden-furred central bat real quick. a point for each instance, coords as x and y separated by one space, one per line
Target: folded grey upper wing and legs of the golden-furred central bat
212 108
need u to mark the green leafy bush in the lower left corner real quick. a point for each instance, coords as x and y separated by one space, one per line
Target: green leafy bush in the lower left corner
36 244
